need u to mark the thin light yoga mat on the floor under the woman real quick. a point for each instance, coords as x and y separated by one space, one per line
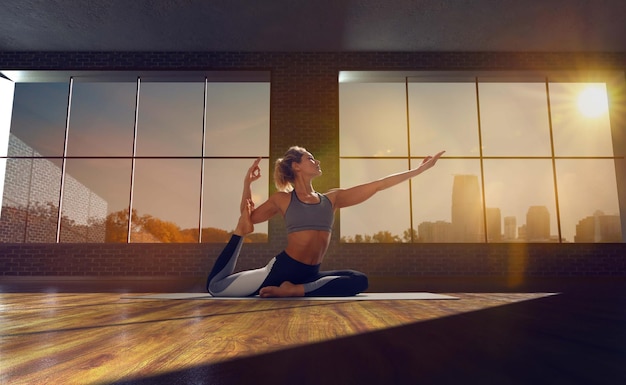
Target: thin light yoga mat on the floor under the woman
360 297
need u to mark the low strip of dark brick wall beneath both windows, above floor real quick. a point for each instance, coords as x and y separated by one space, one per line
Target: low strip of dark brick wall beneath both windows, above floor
515 261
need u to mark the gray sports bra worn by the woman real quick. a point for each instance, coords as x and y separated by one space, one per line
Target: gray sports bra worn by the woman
309 216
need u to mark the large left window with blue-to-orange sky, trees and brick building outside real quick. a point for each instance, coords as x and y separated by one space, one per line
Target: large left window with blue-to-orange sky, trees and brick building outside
80 152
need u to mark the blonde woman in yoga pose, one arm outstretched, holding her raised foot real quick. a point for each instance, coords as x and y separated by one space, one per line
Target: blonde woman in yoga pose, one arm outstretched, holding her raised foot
309 219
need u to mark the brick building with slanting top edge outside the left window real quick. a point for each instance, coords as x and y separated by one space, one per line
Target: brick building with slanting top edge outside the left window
31 202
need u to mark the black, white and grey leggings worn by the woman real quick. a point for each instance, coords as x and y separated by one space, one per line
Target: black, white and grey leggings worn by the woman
223 283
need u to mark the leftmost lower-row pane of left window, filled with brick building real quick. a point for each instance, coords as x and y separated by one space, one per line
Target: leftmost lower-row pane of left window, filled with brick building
31 201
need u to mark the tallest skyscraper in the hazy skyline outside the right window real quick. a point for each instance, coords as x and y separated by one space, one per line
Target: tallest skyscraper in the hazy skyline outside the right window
467 215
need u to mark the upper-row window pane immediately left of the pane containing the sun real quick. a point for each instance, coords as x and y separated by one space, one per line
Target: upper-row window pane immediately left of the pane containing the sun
514 119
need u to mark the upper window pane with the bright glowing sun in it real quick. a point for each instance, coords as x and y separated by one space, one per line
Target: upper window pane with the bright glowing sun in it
580 119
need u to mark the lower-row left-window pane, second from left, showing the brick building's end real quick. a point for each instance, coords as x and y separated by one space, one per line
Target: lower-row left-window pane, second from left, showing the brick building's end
95 200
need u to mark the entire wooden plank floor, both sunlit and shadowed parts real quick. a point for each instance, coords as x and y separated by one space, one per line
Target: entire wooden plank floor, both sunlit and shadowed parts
81 332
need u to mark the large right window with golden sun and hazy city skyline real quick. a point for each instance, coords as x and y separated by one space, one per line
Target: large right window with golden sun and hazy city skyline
527 159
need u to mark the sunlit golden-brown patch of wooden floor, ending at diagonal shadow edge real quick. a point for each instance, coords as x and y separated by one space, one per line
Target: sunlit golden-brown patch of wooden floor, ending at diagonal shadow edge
96 337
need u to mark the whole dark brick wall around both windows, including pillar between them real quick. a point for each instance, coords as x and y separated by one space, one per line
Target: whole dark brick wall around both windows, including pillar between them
304 111
